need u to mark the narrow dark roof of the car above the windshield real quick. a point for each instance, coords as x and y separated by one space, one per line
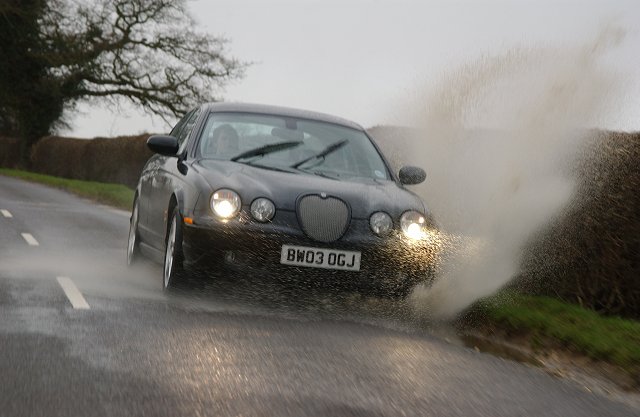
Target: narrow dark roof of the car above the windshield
280 111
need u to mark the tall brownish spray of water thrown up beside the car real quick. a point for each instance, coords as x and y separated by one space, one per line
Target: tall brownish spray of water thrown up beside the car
501 132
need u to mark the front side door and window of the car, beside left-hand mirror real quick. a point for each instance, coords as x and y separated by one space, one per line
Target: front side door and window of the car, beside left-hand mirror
166 180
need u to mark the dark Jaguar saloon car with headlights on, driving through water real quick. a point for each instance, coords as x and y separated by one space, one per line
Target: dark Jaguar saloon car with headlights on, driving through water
272 189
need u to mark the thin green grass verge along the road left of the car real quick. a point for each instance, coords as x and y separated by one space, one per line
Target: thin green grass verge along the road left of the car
112 194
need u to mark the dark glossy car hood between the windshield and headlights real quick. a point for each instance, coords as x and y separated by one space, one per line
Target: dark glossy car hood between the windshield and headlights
283 188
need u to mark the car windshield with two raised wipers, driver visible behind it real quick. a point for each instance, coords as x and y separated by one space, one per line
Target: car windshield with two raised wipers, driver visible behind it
312 146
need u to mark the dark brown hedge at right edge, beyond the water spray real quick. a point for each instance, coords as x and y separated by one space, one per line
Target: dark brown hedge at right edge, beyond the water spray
591 254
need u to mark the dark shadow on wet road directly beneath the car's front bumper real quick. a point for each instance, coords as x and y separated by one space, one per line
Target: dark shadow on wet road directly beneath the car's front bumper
292 297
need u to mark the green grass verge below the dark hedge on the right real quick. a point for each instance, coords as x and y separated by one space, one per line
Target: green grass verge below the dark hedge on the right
549 321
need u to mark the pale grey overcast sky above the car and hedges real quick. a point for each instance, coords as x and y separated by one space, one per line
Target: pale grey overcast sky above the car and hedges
366 59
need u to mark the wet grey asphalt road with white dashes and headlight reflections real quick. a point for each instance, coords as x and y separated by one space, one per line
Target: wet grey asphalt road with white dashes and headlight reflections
254 348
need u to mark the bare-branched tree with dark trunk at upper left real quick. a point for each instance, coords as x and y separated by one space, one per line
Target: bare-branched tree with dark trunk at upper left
61 52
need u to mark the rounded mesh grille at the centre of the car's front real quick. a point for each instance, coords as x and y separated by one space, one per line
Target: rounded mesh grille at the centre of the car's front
323 219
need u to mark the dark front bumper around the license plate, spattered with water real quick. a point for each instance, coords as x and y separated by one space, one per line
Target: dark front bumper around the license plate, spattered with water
396 259
